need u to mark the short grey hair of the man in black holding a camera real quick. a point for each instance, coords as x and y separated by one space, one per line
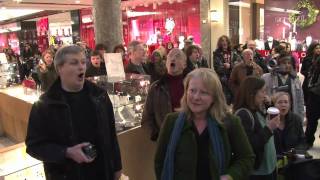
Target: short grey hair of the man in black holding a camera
60 57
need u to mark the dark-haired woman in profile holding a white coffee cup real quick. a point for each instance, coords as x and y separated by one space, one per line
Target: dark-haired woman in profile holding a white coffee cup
248 106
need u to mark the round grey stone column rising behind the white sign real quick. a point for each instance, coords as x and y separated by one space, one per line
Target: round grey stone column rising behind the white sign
107 23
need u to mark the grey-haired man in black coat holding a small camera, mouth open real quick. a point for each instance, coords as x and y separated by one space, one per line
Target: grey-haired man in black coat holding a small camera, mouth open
74 115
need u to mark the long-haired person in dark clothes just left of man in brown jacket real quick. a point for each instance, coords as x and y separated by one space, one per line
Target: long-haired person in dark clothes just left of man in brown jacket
224 60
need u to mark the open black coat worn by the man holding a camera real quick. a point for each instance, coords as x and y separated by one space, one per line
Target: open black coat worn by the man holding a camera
50 132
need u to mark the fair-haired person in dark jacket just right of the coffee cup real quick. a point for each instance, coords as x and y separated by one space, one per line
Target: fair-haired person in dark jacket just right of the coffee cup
290 133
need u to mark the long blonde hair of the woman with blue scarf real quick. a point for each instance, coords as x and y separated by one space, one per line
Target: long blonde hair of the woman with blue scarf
219 107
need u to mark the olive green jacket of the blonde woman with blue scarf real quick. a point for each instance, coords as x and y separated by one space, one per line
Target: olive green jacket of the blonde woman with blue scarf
239 156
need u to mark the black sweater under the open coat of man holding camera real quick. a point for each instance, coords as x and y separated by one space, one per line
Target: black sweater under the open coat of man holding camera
84 129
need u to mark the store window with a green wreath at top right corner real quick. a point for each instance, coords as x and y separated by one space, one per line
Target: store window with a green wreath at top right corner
294 21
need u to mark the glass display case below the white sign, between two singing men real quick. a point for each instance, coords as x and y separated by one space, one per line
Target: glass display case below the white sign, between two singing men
127 97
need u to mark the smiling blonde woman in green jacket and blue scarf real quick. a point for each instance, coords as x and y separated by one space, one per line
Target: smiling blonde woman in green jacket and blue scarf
203 141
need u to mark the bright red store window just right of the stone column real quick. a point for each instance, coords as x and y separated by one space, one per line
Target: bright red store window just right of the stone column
165 22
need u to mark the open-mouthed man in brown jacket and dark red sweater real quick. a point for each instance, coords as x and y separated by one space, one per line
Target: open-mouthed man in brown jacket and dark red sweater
165 94
